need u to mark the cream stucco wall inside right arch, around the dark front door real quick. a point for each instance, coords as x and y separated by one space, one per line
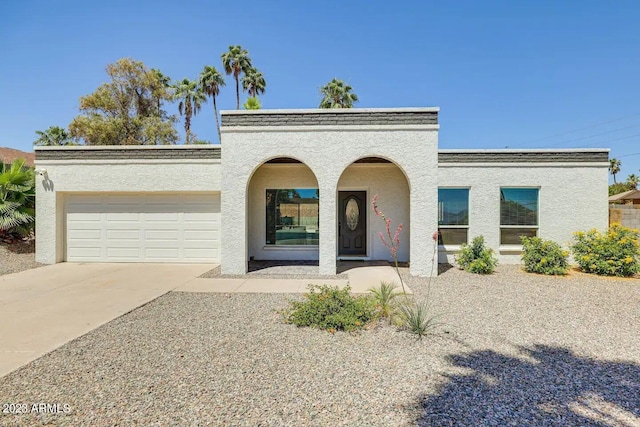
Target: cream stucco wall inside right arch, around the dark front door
389 183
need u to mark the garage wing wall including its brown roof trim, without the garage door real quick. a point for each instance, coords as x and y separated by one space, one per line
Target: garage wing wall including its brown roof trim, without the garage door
104 169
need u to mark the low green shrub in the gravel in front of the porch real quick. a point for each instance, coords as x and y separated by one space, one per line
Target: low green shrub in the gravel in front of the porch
332 309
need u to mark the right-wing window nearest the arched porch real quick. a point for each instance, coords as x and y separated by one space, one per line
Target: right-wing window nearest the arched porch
453 216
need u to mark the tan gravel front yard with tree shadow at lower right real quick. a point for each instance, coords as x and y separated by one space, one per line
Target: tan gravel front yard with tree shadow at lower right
515 349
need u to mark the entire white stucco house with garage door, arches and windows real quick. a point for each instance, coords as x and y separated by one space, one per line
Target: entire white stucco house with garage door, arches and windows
298 184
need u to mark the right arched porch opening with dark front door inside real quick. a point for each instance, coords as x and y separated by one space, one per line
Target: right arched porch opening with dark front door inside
358 226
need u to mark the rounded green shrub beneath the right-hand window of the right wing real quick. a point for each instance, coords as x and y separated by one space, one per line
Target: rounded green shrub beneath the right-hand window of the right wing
544 256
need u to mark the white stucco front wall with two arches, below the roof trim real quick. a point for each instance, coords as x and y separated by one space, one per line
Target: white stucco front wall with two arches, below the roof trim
328 151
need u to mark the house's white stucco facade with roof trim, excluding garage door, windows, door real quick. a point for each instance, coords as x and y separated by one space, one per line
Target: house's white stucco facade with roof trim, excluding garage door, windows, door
390 152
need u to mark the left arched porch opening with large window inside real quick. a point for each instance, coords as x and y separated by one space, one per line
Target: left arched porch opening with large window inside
282 214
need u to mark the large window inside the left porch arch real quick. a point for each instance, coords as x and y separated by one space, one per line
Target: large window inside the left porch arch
292 217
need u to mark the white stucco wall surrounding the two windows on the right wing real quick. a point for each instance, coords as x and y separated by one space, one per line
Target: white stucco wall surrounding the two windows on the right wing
572 197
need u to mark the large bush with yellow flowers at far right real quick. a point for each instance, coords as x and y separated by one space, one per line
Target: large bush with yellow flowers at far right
613 253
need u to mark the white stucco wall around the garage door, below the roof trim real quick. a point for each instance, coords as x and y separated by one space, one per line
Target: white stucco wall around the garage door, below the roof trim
65 176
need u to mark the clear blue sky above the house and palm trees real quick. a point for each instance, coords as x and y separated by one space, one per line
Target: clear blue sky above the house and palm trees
522 74
